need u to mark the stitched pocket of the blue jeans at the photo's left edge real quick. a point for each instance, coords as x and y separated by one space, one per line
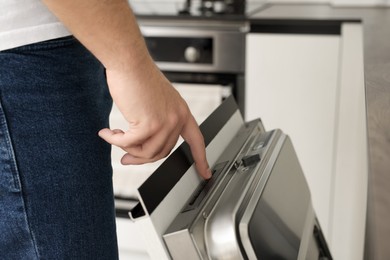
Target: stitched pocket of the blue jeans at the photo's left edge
9 177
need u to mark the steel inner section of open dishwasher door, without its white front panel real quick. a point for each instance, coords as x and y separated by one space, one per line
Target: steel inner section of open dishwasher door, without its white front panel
257 205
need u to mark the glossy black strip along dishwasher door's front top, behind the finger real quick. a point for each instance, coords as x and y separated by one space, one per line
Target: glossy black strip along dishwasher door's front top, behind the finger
159 184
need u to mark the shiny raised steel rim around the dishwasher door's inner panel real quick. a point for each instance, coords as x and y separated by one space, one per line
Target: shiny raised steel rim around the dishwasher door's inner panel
223 241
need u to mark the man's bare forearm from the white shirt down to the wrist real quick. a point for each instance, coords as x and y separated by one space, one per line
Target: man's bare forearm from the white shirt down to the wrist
107 28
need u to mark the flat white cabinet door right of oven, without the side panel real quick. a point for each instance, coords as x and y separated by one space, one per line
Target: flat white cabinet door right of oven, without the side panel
292 84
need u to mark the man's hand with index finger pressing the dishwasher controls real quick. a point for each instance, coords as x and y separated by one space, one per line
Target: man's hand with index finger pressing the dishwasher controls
157 116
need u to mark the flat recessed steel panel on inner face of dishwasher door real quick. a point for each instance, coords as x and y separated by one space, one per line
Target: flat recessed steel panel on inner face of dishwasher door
274 219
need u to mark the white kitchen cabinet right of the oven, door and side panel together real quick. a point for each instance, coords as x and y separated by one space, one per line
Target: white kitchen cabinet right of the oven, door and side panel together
311 86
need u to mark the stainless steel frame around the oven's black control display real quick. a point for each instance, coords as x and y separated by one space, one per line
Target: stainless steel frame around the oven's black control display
228 44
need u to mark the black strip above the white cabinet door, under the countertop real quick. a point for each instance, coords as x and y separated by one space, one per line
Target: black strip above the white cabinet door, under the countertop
297 26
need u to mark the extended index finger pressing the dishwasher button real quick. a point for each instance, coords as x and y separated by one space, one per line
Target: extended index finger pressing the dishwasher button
192 135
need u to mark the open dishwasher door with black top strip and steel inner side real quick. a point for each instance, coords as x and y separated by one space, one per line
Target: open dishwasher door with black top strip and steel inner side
257 204
